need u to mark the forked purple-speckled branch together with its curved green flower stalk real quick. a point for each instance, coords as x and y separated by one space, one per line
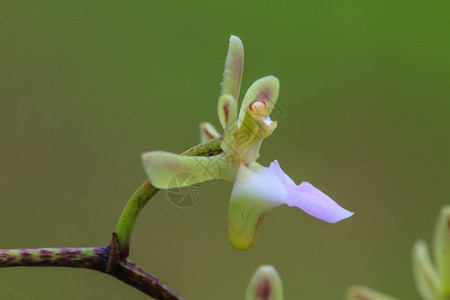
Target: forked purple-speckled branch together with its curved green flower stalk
110 259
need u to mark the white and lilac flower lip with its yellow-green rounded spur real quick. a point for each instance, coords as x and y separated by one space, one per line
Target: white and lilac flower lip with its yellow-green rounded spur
258 190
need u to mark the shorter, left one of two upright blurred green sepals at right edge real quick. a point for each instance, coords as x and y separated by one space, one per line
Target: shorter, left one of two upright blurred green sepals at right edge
427 279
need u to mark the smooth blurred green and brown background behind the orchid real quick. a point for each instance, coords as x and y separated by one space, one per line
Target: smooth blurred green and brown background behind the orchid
87 86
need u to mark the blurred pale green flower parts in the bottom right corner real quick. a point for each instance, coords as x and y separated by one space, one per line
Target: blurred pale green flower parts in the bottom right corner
432 280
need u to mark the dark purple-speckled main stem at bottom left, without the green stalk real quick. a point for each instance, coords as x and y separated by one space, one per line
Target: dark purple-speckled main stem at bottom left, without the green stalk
95 258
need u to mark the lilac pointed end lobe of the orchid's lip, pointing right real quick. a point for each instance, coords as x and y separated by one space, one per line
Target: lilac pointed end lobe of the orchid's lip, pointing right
315 203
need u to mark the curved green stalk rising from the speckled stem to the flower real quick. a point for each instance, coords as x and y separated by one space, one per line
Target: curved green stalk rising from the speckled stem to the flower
145 192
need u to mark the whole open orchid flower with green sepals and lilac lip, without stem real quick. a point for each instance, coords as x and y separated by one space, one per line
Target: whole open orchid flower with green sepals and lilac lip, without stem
257 190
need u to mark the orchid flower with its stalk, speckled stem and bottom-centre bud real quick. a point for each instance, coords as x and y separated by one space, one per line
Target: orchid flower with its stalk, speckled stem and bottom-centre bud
231 156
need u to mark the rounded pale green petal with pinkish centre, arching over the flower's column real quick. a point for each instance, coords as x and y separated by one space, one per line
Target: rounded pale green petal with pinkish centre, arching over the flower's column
266 88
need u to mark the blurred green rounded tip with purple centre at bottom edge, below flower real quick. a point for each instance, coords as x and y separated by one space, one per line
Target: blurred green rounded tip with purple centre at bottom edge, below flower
265 284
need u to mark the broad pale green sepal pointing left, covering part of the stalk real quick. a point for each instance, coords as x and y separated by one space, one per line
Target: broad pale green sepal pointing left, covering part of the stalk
163 168
